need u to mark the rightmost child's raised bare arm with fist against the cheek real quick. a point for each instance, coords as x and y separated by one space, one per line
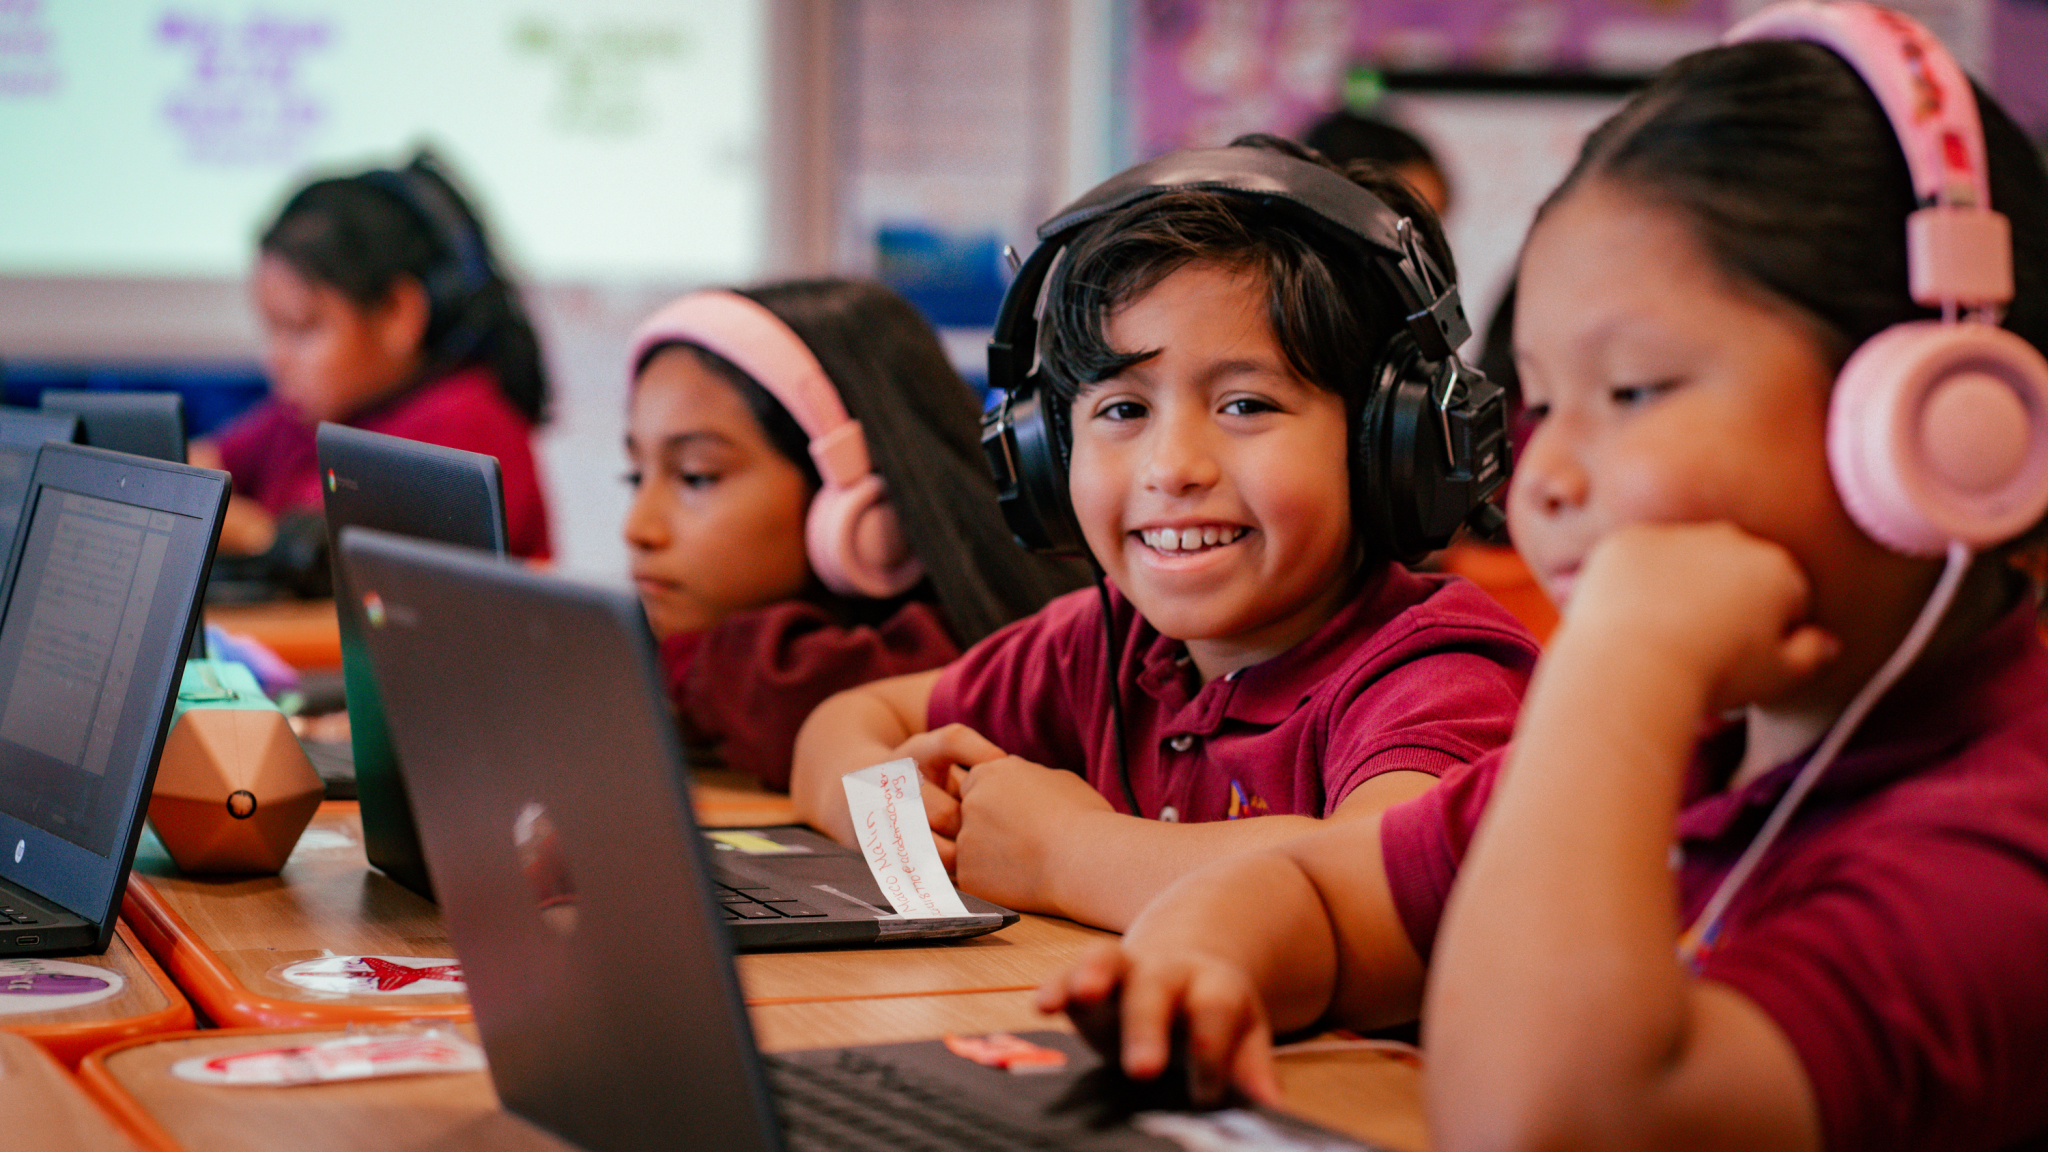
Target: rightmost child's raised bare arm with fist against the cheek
1558 1014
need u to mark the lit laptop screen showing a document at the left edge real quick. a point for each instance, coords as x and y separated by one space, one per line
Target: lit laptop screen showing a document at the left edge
110 563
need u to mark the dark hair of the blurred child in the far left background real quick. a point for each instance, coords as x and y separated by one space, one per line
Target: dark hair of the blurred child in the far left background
359 237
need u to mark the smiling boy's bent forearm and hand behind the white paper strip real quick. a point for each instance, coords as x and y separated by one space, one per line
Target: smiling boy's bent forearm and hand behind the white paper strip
882 721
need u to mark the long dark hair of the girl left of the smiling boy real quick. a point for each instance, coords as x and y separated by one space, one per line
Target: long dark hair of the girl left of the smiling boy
925 438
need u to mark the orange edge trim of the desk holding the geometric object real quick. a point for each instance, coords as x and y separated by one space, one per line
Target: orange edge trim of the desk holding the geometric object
232 1005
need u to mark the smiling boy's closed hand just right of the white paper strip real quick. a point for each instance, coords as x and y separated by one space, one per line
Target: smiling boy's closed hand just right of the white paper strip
1009 819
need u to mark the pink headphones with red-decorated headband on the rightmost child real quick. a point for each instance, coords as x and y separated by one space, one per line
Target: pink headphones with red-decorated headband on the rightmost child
1938 429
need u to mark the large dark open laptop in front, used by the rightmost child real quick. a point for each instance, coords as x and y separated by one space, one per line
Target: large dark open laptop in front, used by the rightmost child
579 895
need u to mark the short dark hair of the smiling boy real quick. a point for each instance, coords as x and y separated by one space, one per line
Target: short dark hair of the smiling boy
1330 308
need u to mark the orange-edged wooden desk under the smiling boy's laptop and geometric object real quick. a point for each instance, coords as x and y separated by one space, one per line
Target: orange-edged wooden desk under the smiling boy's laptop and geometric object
224 940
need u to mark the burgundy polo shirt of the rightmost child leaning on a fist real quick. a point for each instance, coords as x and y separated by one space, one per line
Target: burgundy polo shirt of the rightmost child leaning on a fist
1897 932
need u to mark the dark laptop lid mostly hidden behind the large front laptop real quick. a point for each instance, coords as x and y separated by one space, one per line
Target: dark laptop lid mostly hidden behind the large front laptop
423 491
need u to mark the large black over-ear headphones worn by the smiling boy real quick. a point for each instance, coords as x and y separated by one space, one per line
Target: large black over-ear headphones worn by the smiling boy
1433 436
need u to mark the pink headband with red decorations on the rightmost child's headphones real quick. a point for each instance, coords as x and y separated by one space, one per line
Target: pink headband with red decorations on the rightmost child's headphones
1959 249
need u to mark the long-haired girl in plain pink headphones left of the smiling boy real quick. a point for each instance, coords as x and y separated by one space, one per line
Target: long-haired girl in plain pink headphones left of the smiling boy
810 507
